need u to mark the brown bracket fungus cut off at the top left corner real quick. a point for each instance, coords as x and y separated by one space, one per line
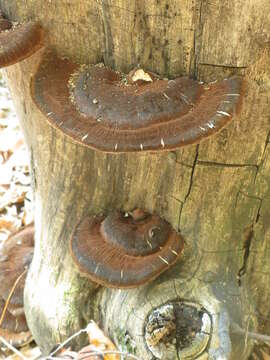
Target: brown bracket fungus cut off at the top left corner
18 42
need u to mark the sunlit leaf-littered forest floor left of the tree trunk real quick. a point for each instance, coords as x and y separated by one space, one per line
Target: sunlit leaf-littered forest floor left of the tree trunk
16 200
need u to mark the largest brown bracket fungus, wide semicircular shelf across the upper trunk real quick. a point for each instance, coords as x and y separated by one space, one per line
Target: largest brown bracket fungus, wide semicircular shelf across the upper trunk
104 110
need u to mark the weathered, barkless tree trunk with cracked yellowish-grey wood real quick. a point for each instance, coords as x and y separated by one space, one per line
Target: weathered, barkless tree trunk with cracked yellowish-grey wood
212 192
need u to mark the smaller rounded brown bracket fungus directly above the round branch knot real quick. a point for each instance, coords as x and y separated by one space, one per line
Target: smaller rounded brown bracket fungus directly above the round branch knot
124 251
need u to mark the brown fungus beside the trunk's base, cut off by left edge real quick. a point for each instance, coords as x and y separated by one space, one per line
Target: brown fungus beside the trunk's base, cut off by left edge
15 257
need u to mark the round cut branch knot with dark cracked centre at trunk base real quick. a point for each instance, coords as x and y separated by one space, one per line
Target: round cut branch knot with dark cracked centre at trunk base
181 328
